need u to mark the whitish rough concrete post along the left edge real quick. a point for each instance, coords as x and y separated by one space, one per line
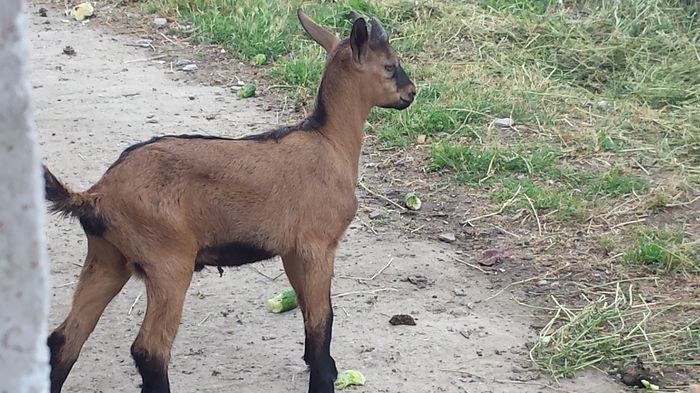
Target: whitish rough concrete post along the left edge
23 263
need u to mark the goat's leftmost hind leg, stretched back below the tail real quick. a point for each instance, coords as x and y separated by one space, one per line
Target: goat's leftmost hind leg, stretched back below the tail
103 275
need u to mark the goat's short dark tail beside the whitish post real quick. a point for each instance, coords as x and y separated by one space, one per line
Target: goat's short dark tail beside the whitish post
63 200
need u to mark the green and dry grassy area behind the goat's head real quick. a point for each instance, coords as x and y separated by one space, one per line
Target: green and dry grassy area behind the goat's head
585 84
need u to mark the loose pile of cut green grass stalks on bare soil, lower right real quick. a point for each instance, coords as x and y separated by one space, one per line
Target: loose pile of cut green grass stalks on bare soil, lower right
615 328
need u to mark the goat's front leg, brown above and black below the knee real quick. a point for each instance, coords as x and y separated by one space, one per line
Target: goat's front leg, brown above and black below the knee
311 280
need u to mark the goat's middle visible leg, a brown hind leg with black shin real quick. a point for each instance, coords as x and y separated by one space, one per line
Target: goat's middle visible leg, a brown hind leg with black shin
166 286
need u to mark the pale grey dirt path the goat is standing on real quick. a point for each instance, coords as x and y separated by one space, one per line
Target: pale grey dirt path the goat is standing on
92 105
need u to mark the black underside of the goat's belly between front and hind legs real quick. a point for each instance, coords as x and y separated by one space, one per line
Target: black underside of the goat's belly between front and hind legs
231 254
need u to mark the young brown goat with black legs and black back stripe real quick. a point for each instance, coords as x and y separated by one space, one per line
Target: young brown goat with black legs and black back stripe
174 204
